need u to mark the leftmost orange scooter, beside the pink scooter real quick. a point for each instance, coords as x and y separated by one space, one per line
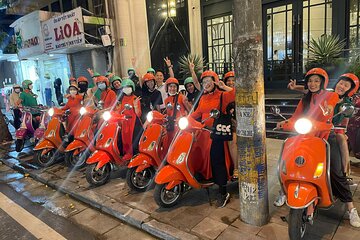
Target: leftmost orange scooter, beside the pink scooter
51 148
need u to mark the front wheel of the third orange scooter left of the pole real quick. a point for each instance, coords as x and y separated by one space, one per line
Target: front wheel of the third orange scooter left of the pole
97 177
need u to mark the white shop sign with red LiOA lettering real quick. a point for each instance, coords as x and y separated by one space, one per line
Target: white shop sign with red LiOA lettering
63 31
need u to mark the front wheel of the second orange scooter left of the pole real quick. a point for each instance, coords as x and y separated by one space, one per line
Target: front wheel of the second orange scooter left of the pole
140 181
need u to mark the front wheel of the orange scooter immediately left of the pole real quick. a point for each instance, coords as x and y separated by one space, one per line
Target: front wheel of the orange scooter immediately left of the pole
167 198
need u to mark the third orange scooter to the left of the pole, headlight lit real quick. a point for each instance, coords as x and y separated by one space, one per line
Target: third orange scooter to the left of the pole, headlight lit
106 156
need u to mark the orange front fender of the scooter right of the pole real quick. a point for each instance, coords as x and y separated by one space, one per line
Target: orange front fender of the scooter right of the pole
300 195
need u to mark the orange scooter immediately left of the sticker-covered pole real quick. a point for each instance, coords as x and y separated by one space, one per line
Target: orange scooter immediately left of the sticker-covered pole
185 157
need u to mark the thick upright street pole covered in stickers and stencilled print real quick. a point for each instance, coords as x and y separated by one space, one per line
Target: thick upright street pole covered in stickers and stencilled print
250 111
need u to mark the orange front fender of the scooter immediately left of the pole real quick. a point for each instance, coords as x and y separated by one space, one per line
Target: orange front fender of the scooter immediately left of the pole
170 175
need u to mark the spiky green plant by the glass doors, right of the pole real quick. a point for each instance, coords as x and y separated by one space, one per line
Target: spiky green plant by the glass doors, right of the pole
325 50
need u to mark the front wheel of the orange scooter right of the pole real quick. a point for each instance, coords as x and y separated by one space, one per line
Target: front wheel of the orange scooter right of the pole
297 223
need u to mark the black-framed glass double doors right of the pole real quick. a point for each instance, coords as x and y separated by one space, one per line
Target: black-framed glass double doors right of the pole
288 28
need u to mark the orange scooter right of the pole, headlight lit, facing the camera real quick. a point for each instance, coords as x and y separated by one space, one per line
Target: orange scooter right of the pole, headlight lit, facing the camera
304 170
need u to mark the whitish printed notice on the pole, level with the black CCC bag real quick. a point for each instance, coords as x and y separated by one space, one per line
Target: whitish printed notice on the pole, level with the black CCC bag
245 121
